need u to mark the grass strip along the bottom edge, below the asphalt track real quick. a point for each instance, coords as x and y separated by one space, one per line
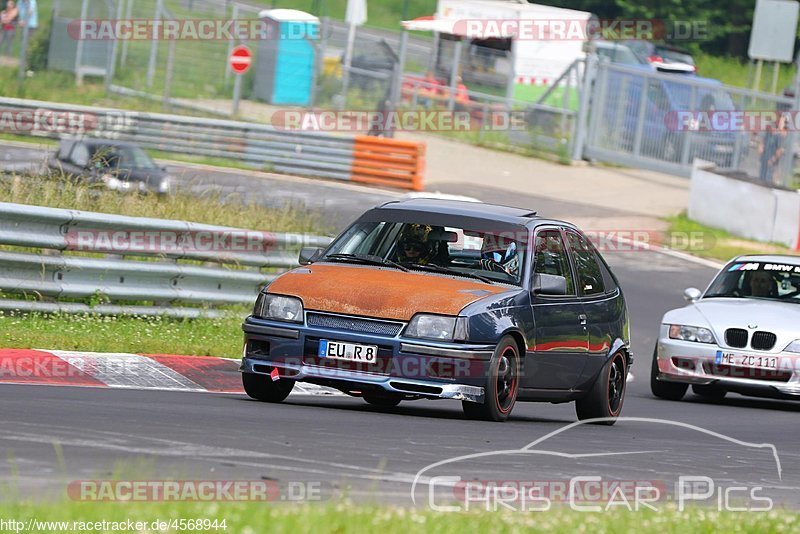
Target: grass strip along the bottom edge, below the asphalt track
344 518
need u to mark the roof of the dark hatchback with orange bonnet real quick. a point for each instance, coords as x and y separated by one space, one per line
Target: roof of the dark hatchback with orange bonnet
466 208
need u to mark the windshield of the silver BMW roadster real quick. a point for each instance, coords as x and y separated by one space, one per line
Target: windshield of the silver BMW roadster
758 280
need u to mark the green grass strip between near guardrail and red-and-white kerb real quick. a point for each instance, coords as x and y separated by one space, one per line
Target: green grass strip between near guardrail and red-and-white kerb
201 337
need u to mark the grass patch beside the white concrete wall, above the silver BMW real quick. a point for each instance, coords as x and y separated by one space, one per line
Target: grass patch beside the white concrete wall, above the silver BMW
715 243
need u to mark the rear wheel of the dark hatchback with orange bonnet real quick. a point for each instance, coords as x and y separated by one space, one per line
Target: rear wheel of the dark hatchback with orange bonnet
607 395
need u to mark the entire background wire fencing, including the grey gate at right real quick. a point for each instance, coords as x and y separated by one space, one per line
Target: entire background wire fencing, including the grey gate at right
620 114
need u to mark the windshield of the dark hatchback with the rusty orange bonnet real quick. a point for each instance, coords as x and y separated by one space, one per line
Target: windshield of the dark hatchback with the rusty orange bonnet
494 257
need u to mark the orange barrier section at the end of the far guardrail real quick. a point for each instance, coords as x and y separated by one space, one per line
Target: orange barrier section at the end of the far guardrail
388 162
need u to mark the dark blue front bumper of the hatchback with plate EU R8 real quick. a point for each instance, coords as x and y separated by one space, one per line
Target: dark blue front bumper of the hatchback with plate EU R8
411 367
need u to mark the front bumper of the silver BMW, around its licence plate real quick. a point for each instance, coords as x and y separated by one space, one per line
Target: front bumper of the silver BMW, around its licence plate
695 363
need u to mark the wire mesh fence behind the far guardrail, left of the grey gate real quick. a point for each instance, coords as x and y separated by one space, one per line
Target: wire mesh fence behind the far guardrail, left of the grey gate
195 73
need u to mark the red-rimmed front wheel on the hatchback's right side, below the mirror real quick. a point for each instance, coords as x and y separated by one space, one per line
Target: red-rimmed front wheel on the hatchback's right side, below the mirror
502 384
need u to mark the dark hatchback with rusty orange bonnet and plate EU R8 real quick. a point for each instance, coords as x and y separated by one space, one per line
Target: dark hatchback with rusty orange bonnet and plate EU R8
429 298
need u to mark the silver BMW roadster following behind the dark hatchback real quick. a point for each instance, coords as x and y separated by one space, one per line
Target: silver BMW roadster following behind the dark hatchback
741 335
